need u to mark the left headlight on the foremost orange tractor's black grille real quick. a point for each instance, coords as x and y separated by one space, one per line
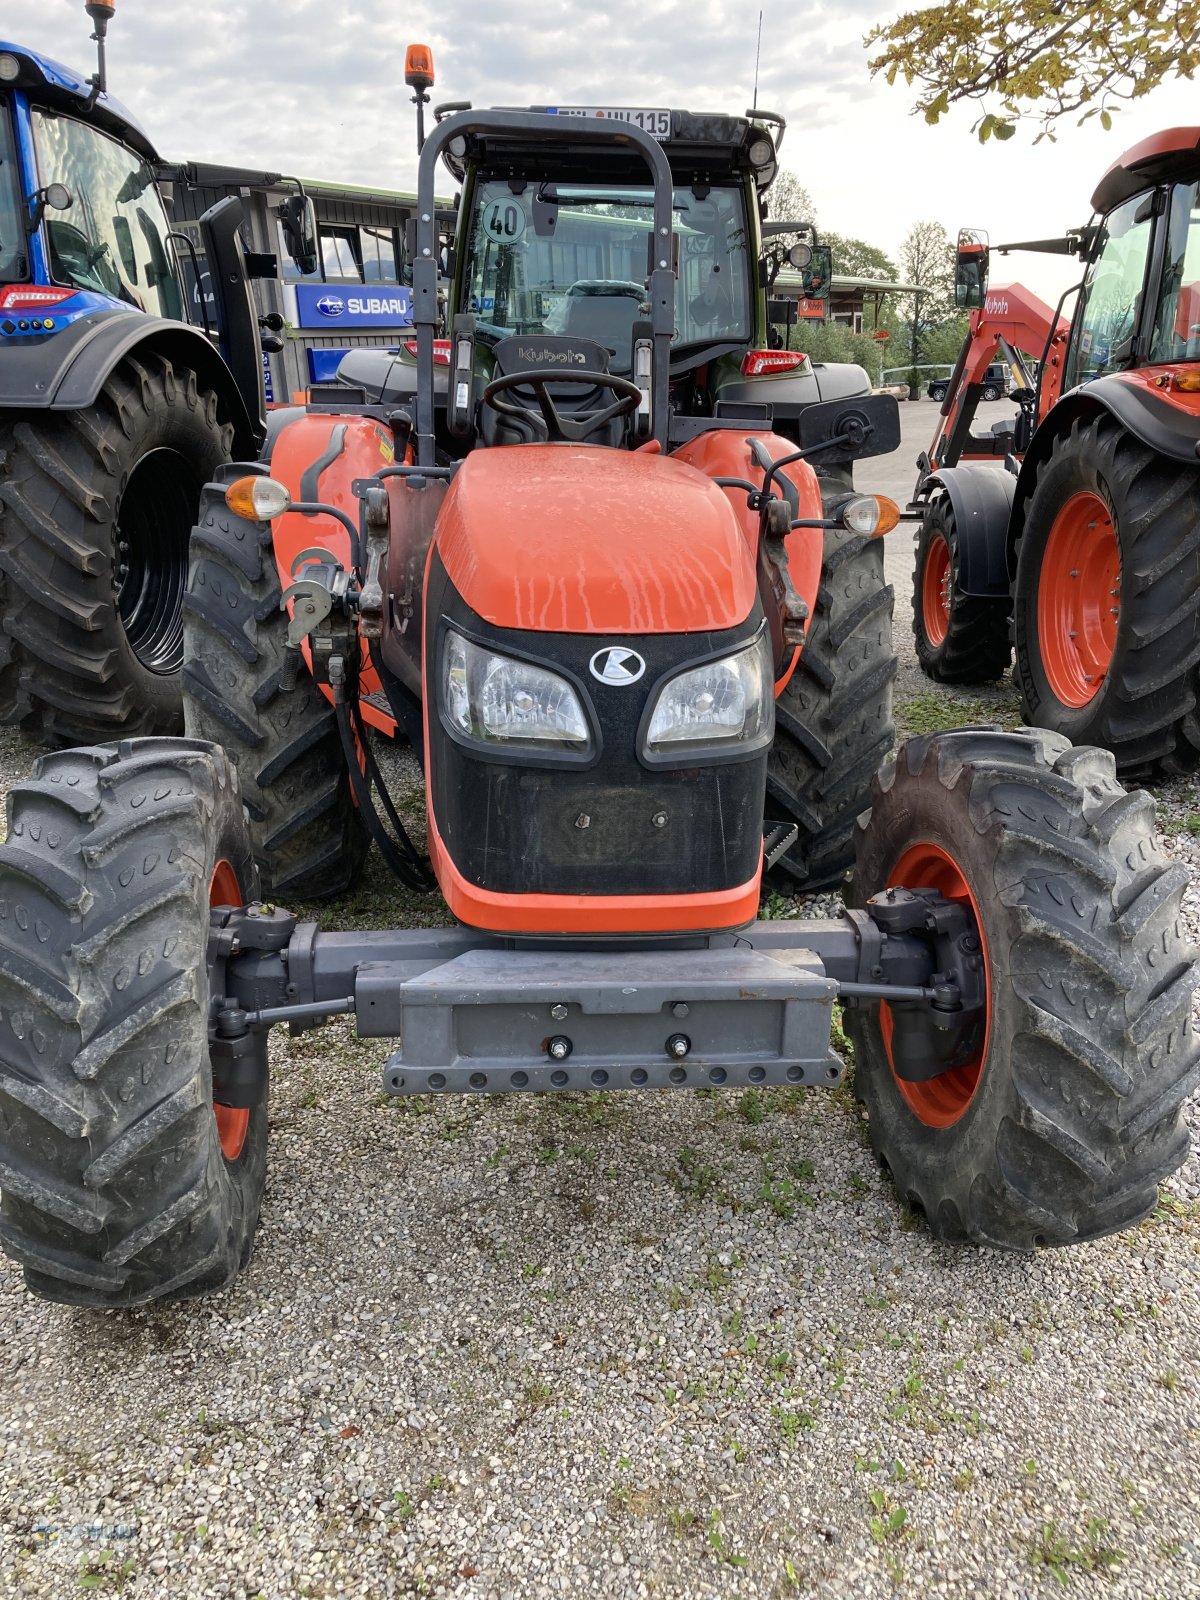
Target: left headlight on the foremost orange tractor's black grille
498 700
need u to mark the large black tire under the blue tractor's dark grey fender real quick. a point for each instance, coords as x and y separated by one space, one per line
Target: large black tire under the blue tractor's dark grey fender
74 489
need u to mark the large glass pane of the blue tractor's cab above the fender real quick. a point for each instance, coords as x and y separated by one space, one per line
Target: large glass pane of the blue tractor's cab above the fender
113 239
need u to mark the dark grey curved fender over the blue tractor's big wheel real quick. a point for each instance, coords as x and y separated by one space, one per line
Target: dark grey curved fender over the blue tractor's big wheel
68 372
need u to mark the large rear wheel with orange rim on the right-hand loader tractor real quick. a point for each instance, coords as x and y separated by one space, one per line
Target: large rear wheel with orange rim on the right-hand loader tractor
1142 663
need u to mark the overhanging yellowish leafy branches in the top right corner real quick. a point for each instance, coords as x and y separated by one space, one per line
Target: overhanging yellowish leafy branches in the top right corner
1038 58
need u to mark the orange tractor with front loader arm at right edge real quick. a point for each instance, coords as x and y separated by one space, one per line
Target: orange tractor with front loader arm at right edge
1082 554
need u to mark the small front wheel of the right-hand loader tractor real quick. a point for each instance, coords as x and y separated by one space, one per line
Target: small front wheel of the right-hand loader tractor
970 646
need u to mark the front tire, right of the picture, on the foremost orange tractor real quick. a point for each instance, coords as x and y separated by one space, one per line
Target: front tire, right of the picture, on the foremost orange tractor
1078 1113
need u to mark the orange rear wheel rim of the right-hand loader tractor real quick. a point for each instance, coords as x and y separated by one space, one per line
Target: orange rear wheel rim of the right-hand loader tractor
1078 599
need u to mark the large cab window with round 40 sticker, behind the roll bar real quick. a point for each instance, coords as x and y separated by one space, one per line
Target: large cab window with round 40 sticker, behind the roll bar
574 260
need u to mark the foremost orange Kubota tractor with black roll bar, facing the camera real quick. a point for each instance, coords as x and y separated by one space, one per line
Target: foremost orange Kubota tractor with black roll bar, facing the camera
580 588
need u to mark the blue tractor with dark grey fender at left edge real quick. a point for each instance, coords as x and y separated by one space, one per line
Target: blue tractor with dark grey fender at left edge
116 409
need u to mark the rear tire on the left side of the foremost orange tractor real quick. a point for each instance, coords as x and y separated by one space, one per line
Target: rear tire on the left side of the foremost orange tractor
247 690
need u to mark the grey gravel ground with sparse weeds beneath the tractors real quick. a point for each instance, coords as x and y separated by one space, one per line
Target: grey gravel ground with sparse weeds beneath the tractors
666 1345
